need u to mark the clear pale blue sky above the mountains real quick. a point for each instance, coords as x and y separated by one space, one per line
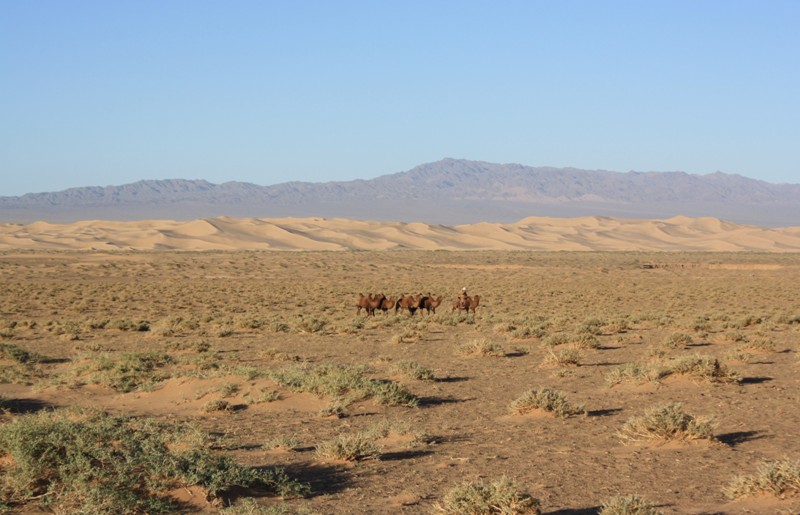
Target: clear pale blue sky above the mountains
111 92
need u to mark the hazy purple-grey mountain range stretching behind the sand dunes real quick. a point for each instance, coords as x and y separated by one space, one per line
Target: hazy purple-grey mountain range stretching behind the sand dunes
450 191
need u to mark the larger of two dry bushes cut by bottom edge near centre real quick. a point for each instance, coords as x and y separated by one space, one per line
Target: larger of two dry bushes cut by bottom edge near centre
499 496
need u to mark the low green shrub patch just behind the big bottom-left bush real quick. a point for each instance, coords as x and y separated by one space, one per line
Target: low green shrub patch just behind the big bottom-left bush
126 372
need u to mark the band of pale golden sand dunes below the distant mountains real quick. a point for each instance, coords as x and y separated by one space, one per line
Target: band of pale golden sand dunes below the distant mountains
532 233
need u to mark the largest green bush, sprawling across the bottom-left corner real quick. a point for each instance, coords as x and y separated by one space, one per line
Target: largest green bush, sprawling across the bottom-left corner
86 461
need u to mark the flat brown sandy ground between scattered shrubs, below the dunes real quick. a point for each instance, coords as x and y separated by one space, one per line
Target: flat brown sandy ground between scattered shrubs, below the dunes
729 303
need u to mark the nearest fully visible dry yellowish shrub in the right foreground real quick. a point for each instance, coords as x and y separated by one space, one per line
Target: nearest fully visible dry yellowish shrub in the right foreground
668 422
